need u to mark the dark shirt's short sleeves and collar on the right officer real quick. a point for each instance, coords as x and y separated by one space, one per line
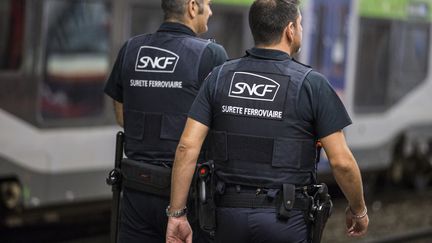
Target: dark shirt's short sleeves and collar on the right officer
318 104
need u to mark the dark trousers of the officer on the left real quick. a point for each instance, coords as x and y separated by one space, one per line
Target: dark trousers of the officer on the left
143 219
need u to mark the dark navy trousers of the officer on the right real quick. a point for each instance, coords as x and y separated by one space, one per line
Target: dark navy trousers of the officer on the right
247 225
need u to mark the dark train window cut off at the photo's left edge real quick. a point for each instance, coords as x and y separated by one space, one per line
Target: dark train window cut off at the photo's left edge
11 33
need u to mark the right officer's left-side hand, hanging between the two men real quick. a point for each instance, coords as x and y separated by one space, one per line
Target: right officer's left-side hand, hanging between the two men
178 230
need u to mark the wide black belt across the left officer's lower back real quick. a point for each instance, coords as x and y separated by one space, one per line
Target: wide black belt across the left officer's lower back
146 177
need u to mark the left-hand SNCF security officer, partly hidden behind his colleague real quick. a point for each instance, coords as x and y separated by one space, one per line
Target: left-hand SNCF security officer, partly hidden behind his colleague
153 83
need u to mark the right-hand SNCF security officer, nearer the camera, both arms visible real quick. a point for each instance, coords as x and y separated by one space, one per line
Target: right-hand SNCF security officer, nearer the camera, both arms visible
265 113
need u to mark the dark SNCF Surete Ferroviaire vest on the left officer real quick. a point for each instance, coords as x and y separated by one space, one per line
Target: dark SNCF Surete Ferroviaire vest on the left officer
160 72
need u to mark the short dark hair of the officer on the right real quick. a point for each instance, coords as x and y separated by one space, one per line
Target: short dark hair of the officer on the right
268 19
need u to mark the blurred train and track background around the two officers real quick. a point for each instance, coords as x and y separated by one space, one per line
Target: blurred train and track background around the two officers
57 128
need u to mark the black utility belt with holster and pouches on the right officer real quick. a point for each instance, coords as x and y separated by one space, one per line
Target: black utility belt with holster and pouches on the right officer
313 200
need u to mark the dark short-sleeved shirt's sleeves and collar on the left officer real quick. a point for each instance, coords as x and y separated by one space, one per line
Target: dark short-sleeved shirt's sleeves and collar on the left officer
213 55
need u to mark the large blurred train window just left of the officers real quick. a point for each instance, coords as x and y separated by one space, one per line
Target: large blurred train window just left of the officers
76 60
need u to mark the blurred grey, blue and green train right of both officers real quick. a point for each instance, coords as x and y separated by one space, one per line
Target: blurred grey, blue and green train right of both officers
376 56
